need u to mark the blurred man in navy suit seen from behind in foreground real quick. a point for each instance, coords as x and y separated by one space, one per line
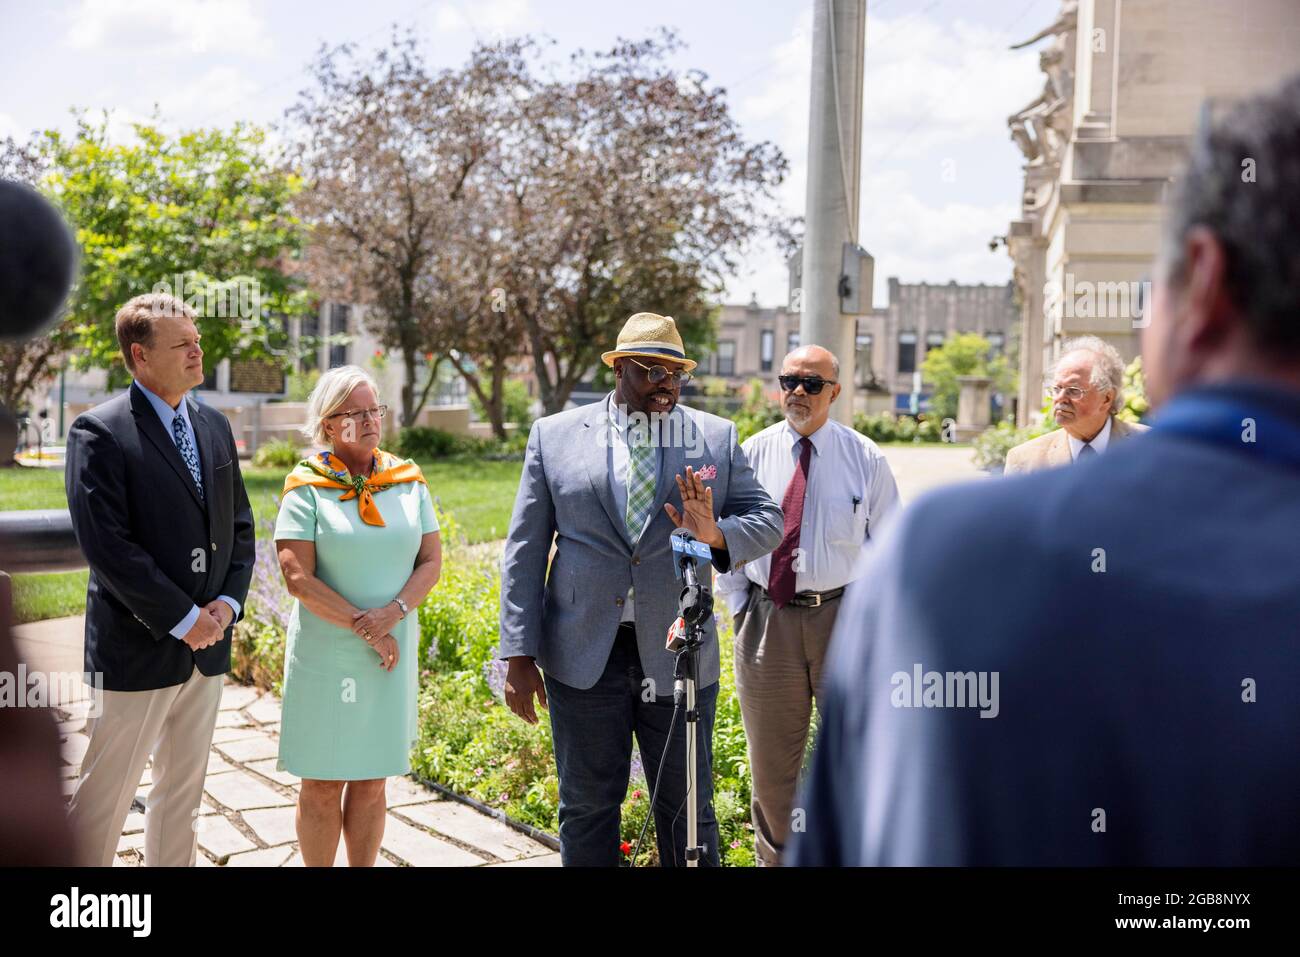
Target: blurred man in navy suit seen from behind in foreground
1100 665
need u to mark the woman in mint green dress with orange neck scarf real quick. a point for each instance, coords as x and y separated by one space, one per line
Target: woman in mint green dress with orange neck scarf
358 544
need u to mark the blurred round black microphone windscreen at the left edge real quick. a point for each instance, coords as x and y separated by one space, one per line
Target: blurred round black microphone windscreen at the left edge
38 262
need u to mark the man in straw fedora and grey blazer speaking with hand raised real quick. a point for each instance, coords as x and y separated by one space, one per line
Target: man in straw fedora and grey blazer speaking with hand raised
609 483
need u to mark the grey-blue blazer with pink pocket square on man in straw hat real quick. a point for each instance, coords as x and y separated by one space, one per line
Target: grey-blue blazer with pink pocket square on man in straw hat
569 620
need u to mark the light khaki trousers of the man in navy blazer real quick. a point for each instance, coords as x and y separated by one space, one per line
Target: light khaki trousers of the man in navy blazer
176 726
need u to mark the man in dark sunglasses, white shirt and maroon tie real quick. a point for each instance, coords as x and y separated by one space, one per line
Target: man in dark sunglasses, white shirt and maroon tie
835 487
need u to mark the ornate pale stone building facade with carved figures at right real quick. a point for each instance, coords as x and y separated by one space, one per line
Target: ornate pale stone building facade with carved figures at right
1125 88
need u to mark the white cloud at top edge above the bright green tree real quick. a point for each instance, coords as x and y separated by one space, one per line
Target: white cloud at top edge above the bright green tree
179 28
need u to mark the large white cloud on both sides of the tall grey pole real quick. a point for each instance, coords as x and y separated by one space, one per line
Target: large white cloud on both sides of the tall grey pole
937 97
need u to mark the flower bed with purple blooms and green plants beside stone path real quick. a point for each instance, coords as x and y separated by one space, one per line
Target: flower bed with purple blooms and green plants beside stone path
470 742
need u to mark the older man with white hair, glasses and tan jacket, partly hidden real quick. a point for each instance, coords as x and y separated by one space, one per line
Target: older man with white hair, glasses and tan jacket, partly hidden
1086 395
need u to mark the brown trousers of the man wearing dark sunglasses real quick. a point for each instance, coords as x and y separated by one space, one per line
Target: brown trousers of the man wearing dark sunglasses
779 656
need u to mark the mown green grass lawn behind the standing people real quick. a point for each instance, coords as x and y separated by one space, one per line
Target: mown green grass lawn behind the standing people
480 495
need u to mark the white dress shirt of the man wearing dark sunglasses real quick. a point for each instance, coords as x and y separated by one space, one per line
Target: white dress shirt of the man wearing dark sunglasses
850 492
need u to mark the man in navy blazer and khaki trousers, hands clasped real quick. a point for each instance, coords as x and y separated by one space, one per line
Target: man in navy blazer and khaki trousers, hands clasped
161 512
